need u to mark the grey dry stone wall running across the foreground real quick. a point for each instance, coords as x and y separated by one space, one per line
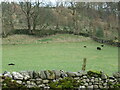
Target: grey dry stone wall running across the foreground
41 79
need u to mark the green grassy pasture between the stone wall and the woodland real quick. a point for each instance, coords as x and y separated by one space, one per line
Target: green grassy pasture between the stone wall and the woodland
58 52
